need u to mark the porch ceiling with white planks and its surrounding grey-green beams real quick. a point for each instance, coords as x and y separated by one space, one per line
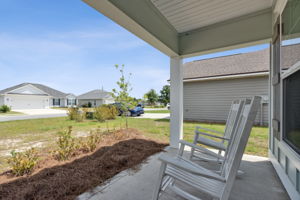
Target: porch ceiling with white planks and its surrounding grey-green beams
192 27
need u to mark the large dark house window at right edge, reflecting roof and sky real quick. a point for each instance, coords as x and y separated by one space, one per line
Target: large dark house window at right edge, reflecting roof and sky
290 58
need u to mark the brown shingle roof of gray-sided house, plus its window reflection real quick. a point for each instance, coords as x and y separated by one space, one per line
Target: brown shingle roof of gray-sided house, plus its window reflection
244 63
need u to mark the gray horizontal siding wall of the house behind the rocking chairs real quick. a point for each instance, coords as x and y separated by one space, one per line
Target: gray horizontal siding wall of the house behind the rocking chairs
210 100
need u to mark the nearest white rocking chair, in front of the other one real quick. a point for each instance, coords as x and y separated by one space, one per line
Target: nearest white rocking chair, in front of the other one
216 185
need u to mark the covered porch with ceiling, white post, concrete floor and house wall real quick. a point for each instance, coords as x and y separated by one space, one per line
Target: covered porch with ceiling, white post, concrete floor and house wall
185 28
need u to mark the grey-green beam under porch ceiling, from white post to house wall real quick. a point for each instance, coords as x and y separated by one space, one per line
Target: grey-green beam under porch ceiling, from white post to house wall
252 29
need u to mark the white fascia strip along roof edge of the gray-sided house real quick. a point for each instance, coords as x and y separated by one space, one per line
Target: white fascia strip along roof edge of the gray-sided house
228 77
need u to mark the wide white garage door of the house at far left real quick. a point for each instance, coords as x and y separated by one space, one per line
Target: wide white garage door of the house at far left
28 102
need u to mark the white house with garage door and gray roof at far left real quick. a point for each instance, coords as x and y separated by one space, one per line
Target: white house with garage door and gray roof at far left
35 96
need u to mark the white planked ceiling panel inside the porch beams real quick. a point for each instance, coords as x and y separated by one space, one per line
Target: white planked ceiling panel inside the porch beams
186 15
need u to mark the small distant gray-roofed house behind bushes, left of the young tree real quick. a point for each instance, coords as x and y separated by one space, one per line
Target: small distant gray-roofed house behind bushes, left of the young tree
95 98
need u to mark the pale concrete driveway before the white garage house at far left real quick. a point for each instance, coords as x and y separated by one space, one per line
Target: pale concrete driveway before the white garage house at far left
34 114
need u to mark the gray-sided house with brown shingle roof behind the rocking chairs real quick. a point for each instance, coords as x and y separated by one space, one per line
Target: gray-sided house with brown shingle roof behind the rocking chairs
210 85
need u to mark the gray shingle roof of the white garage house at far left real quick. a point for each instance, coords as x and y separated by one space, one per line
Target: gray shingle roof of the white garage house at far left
50 91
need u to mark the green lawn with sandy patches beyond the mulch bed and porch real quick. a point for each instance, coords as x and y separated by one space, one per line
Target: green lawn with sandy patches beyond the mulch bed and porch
19 134
